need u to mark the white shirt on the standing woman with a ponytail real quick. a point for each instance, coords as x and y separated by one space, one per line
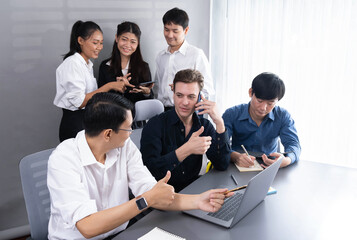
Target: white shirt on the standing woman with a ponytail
74 79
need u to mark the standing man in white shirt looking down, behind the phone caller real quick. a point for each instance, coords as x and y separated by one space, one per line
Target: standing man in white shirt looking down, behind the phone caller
179 55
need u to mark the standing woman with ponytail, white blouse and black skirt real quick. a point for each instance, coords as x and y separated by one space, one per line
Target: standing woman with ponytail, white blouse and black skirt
75 82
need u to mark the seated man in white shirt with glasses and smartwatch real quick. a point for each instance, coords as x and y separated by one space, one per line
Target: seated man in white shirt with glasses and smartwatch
89 176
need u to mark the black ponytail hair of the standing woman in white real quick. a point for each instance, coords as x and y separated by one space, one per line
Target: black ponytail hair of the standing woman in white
83 30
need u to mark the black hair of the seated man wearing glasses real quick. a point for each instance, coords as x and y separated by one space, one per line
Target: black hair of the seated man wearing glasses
105 111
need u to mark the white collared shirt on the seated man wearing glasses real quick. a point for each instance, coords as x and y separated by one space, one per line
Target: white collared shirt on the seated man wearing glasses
79 185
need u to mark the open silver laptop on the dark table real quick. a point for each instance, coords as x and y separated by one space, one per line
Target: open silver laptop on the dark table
242 202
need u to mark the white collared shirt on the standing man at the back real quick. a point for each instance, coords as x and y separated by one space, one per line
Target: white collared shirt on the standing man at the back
168 64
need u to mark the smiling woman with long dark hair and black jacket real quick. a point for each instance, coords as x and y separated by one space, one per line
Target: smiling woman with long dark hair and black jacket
126 63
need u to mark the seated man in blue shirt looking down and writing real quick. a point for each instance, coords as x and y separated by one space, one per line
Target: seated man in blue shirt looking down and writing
259 124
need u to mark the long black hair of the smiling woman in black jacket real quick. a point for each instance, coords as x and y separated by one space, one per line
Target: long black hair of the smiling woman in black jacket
137 64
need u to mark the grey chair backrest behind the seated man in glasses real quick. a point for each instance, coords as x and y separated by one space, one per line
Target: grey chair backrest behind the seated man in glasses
33 172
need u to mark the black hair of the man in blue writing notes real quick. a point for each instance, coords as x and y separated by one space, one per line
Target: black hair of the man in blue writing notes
268 86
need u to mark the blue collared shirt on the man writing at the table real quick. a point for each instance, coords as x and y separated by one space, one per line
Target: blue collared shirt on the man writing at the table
278 123
